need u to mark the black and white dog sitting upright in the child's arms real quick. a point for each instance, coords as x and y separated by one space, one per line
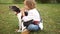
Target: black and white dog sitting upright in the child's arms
18 13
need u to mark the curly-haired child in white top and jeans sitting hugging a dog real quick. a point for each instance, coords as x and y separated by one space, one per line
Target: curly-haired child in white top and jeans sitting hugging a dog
33 14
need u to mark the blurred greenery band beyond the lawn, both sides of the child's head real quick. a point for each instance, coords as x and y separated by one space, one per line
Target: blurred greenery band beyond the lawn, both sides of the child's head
21 1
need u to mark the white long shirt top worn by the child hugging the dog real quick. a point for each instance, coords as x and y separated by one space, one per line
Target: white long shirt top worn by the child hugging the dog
32 14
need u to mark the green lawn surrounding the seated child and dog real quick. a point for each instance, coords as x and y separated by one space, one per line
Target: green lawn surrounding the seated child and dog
50 14
